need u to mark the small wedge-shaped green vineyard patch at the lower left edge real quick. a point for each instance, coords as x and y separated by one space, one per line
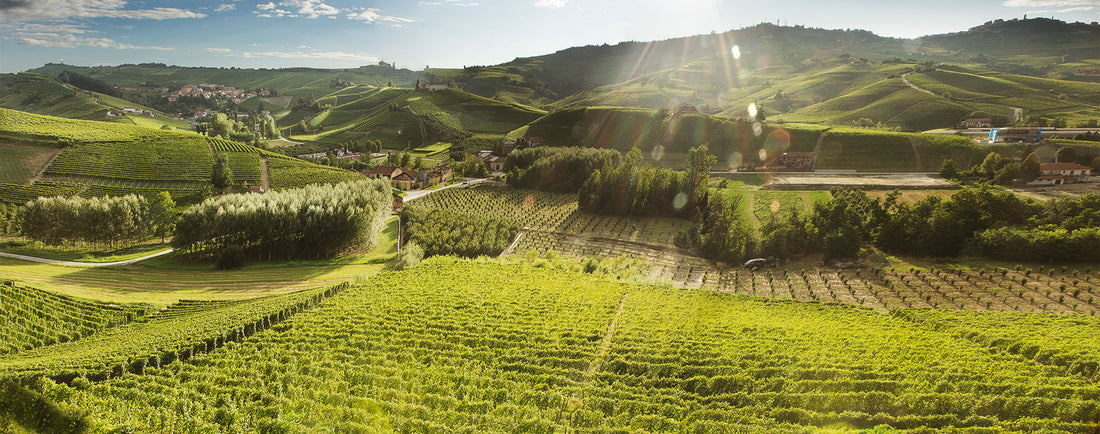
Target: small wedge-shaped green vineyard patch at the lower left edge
34 318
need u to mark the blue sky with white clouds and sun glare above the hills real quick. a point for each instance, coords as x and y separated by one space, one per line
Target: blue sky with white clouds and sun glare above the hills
438 34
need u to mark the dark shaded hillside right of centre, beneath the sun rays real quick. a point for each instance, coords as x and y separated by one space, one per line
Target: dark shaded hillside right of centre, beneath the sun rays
665 140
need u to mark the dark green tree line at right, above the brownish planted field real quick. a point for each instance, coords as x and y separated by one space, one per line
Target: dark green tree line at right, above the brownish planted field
974 221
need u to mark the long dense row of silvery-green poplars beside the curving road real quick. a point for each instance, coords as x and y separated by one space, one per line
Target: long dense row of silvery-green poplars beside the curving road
315 221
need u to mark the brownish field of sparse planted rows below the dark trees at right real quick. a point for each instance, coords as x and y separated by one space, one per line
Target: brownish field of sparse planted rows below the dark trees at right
980 290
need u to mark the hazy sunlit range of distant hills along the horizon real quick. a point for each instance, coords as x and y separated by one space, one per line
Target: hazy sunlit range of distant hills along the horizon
794 73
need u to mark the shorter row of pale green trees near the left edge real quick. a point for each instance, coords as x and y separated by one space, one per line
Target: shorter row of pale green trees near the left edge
100 221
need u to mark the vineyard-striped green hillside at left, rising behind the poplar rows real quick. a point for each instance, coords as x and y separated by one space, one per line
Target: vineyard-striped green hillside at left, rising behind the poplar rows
97 159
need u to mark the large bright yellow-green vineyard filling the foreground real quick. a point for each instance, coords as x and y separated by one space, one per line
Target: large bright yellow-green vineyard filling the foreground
453 347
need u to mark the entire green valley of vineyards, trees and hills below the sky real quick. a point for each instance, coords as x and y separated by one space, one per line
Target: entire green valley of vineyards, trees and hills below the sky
773 229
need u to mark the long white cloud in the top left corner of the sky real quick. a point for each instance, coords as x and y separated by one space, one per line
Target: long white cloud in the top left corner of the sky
57 10
